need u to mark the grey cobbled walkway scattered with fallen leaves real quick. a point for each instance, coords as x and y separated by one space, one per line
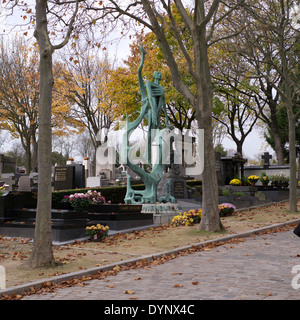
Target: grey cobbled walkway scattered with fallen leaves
258 268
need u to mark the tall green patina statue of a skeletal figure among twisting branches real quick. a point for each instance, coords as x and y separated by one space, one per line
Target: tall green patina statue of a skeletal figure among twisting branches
153 103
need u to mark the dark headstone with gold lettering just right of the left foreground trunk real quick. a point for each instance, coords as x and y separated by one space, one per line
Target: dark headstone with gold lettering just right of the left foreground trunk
64 178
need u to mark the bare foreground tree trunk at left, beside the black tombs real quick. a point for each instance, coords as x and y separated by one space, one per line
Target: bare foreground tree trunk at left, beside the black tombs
42 254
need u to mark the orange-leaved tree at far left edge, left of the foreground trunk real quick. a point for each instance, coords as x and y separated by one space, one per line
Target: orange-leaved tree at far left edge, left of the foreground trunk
19 95
